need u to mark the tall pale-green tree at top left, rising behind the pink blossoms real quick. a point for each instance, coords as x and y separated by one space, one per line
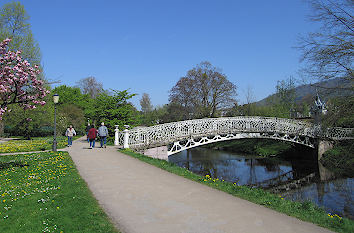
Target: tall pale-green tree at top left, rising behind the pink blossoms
14 24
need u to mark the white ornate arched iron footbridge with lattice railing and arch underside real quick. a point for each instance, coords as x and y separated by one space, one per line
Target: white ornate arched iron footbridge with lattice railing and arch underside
183 135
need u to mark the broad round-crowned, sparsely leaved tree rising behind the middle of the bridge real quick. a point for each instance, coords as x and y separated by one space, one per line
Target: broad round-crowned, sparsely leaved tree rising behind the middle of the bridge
205 91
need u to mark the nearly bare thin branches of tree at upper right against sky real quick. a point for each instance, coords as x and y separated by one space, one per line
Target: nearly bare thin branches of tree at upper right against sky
328 53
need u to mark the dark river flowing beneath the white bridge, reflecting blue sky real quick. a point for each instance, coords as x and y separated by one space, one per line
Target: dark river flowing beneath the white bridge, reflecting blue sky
335 195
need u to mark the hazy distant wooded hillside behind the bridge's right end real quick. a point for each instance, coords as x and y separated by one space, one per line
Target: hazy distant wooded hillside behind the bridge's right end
308 92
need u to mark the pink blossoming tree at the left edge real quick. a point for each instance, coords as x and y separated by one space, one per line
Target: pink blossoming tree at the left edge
19 83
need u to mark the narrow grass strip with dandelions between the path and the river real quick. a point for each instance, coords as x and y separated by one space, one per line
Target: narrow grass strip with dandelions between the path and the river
306 211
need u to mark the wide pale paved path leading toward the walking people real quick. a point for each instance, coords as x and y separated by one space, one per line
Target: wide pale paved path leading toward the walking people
145 199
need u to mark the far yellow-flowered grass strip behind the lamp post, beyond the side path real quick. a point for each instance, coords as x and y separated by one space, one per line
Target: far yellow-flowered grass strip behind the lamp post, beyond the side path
35 144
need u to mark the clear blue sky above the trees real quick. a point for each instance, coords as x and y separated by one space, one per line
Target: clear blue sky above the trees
147 45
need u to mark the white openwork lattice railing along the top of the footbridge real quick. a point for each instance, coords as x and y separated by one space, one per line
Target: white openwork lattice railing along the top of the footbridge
164 134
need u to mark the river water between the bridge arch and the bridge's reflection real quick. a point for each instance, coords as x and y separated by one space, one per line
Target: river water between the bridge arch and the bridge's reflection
236 168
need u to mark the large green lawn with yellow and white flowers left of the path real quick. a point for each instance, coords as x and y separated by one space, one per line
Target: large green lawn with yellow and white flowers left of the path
43 192
